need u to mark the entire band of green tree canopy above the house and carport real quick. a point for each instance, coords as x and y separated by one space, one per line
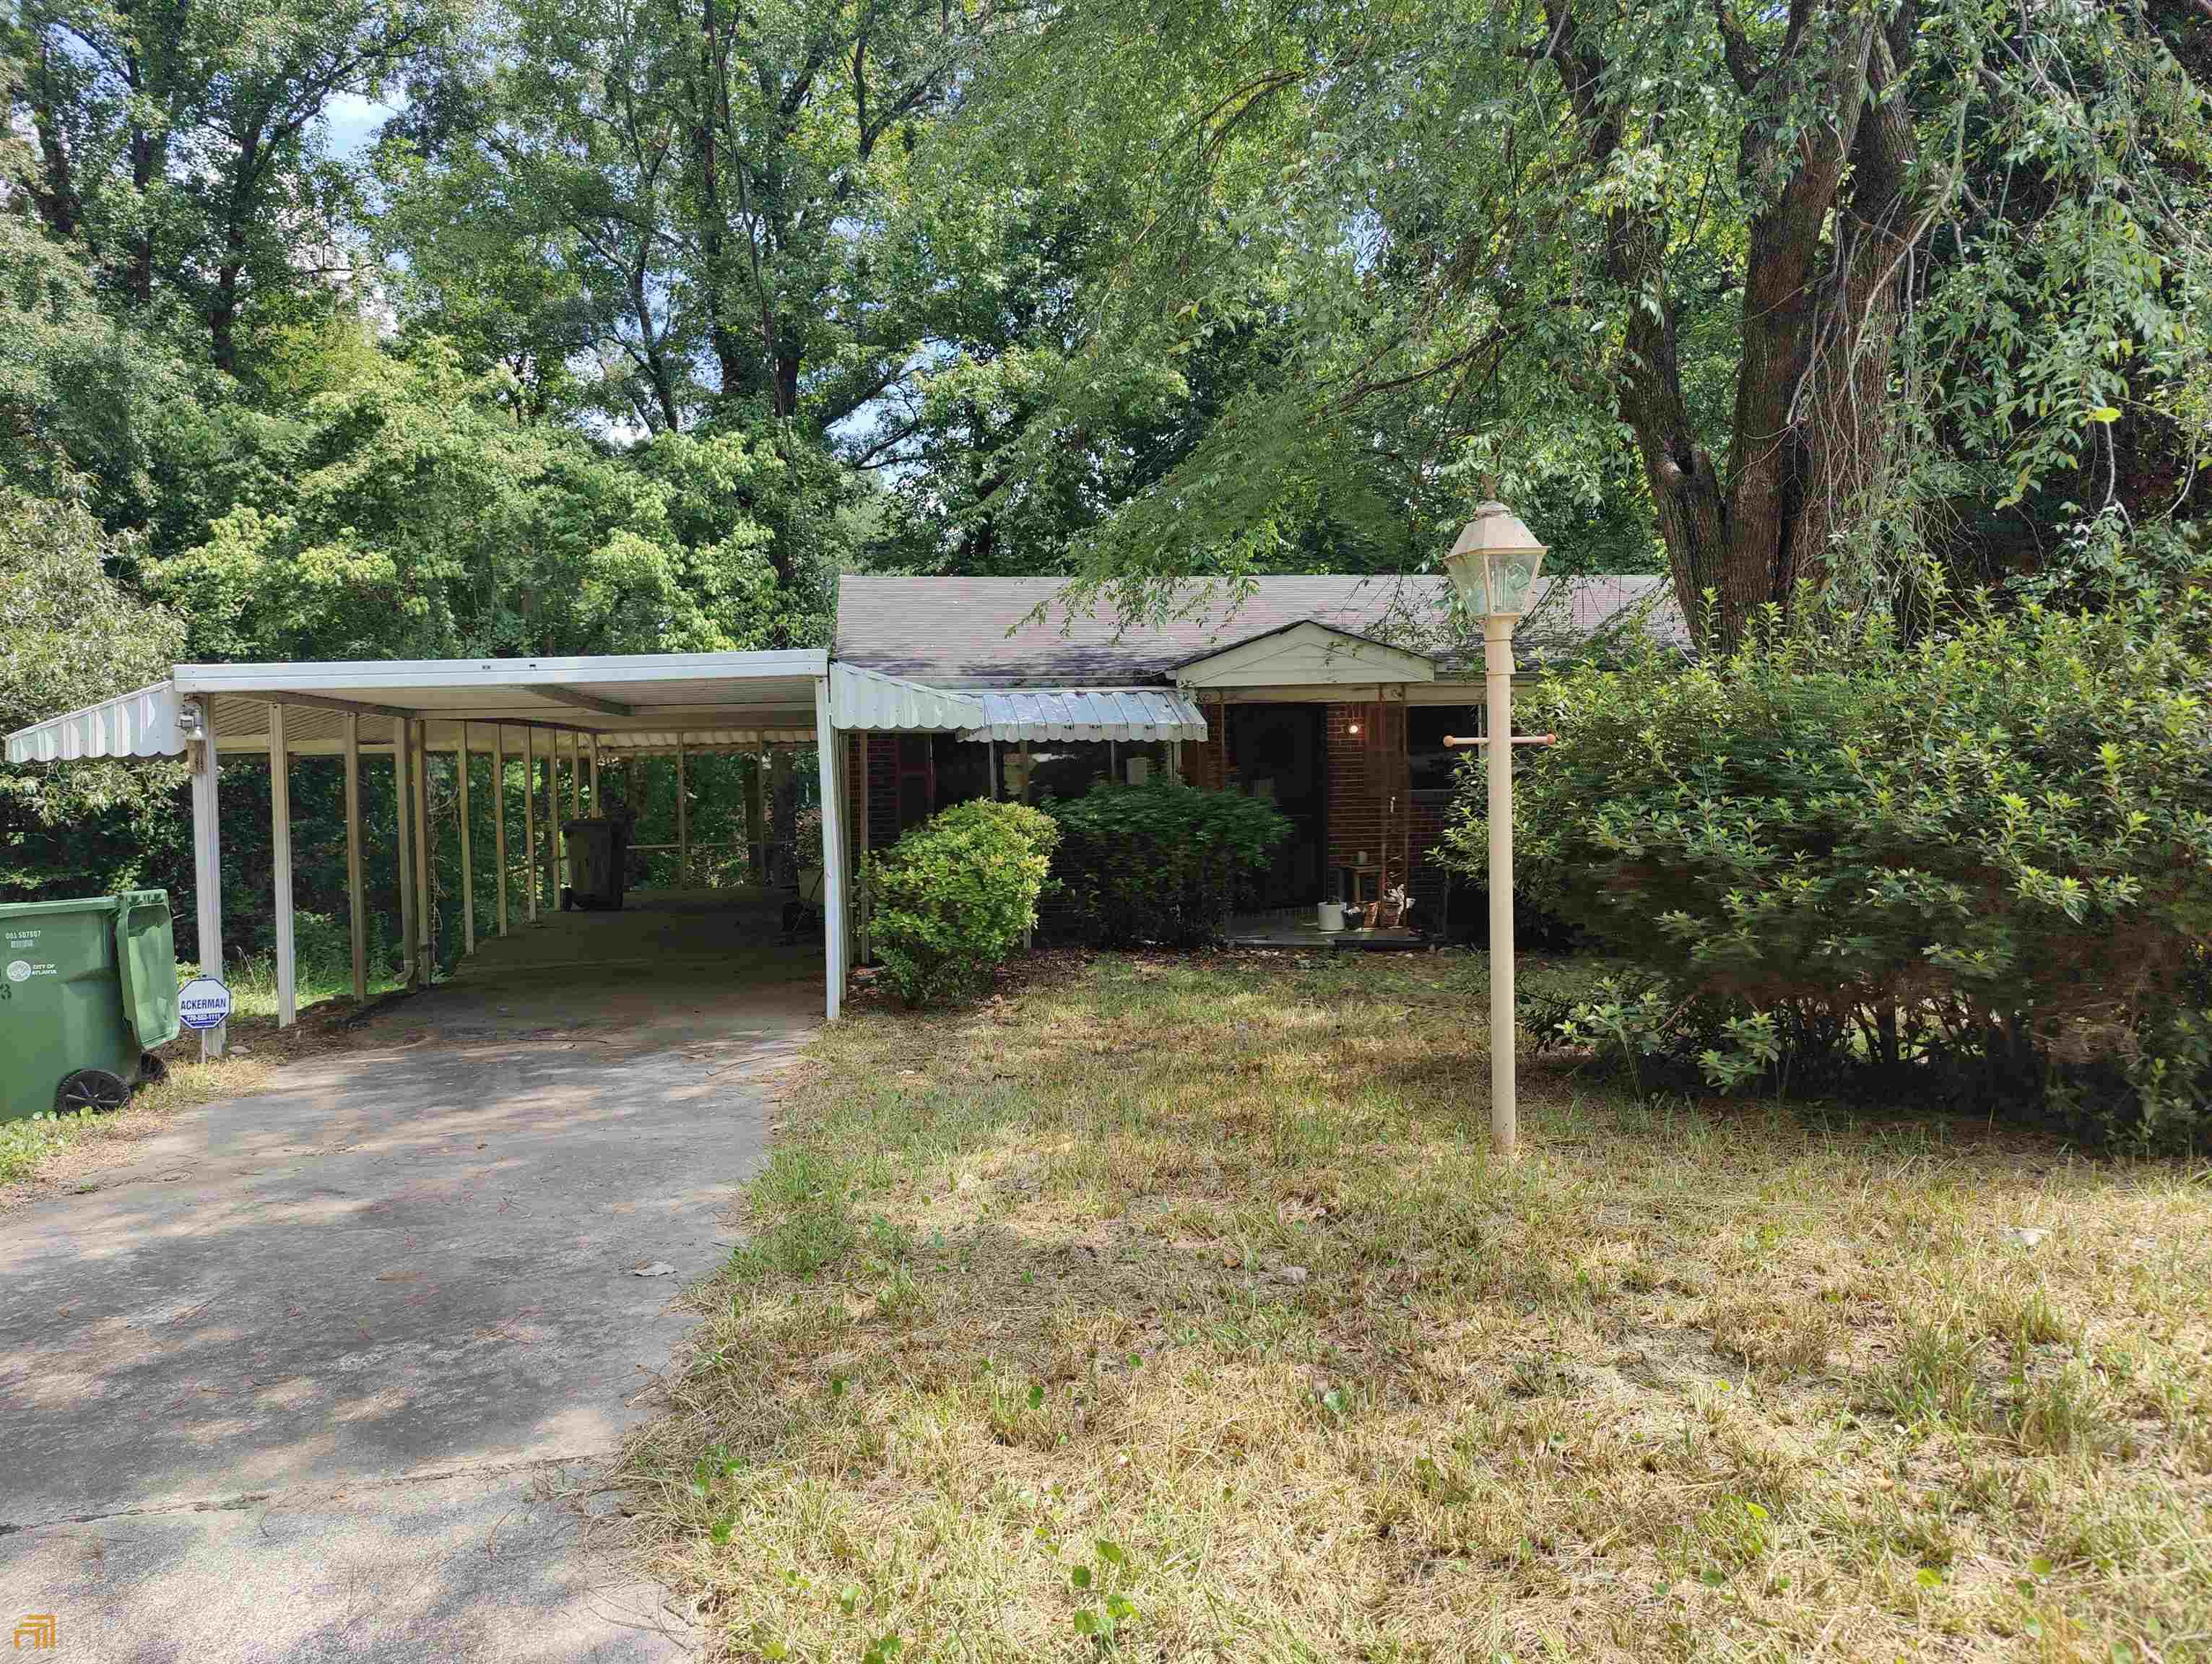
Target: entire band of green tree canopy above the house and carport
636 322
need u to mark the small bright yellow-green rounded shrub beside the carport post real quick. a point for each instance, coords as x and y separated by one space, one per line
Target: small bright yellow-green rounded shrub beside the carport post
954 897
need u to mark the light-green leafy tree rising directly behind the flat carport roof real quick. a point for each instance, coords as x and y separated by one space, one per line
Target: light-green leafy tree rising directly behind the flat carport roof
404 512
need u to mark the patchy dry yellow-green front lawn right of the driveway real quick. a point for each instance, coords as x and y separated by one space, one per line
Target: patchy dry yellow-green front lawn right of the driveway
1185 1302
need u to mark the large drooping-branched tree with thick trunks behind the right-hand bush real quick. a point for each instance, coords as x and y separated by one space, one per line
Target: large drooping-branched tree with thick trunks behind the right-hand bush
1552 225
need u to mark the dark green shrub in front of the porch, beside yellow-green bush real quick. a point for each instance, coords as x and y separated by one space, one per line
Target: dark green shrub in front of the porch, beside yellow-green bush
1158 862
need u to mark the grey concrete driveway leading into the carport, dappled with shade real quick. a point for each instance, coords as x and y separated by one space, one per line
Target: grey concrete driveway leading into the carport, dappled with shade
328 1371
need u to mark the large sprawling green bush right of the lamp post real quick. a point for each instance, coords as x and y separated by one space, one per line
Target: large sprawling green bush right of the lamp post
1981 862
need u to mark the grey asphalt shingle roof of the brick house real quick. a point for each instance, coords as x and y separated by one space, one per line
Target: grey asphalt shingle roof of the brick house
974 632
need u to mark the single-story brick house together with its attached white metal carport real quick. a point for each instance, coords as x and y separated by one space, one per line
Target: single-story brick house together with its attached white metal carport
1331 696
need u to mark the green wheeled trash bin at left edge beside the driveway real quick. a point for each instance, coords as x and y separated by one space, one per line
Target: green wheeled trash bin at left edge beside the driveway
87 992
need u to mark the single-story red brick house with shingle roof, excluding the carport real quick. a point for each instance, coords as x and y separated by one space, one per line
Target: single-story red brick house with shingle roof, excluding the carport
1328 696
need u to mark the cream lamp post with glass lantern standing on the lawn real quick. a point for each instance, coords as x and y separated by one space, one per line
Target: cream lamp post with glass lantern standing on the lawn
1494 568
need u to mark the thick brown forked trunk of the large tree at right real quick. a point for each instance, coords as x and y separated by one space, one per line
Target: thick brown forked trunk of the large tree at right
1819 329
